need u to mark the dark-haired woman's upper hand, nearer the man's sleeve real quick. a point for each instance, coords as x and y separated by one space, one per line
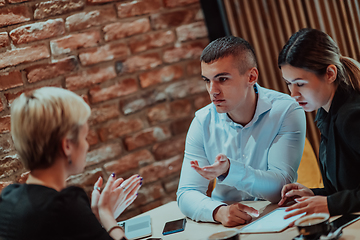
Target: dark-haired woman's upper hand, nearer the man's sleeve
292 191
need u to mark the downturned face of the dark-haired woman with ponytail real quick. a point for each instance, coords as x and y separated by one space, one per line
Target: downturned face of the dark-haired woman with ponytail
308 89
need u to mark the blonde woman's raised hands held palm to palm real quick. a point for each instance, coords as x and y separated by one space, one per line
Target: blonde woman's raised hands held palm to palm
116 196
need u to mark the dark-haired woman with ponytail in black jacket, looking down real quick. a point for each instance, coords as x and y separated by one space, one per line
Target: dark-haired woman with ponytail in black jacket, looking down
321 79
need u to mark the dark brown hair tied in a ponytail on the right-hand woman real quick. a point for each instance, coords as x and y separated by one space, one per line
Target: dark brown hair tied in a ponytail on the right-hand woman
314 50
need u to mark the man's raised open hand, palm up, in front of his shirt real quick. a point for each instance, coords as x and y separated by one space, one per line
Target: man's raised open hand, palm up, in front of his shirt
220 167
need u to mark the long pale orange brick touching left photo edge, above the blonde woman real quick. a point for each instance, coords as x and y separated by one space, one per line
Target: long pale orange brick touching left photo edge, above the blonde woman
23 55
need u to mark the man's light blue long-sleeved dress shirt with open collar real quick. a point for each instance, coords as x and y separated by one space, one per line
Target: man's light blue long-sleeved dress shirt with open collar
264 155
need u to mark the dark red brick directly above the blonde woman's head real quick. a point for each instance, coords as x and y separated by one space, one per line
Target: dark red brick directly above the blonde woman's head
46 71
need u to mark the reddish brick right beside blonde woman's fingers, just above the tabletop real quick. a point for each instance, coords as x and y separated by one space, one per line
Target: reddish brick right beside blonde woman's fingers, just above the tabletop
149 193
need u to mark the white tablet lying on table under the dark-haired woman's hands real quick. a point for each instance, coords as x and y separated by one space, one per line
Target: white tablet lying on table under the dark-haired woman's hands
271 222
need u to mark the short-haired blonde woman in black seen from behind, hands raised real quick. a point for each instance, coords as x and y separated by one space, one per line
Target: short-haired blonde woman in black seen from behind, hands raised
49 129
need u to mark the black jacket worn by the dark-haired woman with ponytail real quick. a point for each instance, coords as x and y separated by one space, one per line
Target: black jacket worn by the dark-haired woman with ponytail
340 152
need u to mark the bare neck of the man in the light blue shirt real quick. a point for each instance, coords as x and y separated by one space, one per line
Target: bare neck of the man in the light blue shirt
246 113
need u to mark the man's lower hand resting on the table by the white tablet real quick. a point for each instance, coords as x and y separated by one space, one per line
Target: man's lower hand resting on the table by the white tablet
234 214
